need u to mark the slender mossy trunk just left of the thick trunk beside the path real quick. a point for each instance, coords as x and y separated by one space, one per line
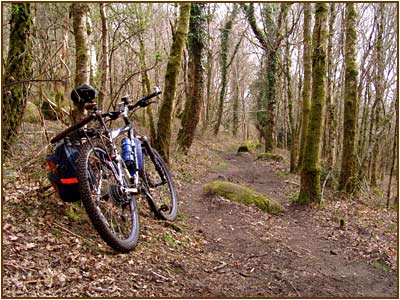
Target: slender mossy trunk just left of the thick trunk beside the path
306 94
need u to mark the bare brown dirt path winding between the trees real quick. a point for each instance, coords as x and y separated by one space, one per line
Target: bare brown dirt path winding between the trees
296 254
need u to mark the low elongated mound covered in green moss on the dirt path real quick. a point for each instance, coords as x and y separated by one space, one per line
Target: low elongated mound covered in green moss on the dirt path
244 195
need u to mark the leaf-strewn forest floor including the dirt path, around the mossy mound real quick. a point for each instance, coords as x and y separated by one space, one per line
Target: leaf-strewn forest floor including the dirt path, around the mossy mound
216 248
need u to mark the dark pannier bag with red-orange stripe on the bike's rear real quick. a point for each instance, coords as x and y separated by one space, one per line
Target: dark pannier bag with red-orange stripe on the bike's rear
62 173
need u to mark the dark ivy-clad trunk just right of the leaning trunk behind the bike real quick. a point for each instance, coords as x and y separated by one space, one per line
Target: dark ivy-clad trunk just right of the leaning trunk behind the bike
196 44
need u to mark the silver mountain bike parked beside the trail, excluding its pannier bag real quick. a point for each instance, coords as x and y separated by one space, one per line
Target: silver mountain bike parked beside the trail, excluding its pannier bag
111 177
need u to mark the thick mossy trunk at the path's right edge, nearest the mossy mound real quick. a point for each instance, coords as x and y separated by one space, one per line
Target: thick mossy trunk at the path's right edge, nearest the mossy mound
310 188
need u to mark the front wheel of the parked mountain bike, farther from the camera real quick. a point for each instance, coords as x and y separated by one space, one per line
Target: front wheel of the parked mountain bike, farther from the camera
159 187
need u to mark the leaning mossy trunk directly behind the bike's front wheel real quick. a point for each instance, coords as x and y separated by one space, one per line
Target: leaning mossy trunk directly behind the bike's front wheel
163 140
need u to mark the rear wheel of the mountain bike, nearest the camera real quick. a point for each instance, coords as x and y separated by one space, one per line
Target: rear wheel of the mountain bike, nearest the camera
113 213
